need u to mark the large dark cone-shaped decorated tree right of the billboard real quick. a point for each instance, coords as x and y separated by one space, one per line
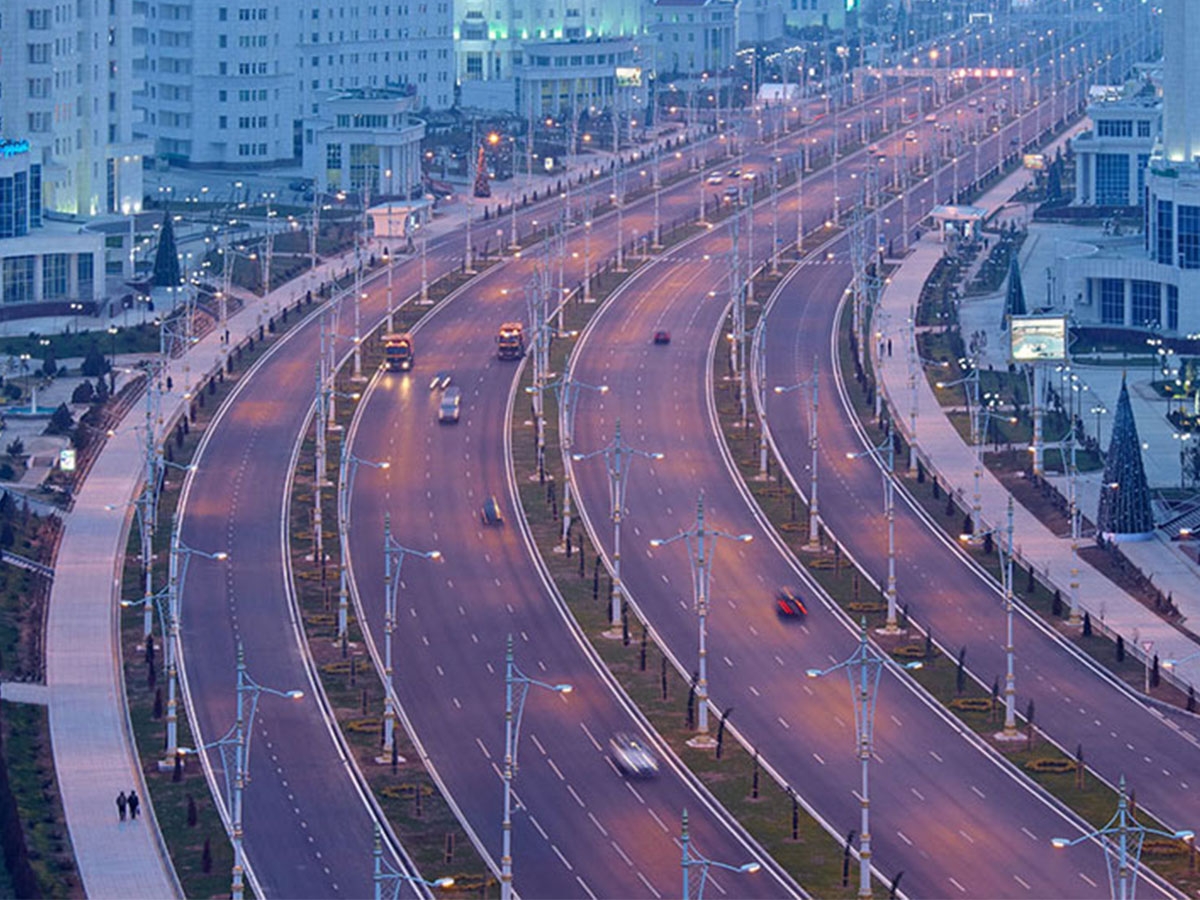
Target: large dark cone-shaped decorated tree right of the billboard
1125 496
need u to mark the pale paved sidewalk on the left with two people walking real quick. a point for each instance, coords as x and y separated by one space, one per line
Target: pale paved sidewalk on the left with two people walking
94 754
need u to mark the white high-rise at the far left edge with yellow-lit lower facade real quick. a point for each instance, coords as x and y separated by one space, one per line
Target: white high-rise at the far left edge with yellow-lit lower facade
67 87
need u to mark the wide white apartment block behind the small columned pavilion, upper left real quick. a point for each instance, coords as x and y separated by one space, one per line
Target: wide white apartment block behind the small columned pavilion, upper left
231 83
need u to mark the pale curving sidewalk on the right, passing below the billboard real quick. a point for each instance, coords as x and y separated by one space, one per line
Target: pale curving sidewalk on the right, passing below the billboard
953 460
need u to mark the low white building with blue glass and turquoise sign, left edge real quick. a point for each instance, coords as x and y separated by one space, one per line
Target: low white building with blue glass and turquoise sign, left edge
45 268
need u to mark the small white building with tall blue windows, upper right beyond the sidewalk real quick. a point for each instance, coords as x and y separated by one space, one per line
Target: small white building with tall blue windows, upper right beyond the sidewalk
1112 157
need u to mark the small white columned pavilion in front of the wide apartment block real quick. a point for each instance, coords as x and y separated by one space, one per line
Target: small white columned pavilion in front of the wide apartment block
367 139
